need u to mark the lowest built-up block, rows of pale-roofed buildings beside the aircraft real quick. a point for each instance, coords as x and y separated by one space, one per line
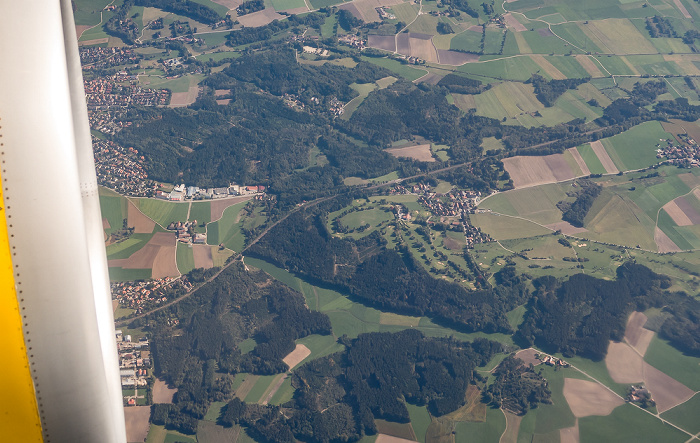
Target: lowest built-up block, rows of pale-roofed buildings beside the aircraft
134 361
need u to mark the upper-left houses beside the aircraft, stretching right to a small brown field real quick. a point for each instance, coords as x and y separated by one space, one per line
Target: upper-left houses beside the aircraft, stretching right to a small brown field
121 91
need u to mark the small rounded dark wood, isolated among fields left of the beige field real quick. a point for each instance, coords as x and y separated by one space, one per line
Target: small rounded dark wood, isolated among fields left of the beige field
517 388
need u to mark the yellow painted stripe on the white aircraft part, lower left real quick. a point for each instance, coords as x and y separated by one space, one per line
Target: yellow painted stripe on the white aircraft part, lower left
19 416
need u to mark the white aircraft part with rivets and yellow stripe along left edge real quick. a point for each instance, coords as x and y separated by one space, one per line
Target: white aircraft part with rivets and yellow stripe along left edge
56 321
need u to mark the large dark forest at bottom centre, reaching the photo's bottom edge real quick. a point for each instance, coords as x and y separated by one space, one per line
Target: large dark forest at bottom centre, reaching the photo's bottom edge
338 397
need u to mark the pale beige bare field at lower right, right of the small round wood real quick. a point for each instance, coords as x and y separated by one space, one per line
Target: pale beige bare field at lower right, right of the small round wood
587 398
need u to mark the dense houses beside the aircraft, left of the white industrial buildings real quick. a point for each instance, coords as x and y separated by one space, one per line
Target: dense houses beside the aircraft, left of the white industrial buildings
121 169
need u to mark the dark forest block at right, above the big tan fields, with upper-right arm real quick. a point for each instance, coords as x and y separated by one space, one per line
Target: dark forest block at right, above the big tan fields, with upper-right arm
580 315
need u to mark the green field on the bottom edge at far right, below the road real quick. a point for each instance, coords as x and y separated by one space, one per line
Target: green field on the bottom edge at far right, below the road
627 424
